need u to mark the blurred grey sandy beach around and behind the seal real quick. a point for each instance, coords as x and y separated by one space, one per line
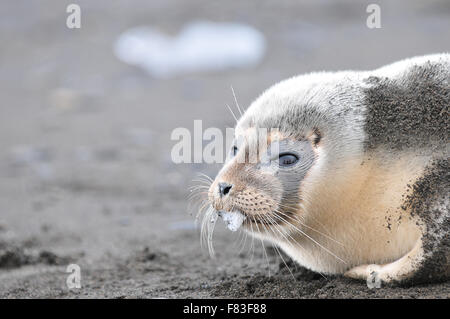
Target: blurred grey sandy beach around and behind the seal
86 175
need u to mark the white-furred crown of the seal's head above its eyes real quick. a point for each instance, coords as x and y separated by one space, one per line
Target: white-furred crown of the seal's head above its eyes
299 104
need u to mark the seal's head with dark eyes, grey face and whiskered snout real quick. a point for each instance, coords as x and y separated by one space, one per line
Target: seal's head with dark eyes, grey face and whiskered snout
280 151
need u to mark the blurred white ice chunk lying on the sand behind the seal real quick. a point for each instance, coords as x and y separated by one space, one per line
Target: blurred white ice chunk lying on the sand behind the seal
200 46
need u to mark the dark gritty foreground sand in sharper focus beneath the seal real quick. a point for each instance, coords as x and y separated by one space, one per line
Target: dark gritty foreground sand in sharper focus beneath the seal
153 273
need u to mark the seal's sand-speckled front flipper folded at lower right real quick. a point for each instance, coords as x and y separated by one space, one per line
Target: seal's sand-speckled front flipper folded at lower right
429 260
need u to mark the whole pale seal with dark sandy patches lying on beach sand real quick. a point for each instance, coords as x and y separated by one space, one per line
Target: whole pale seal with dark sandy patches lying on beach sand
359 182
